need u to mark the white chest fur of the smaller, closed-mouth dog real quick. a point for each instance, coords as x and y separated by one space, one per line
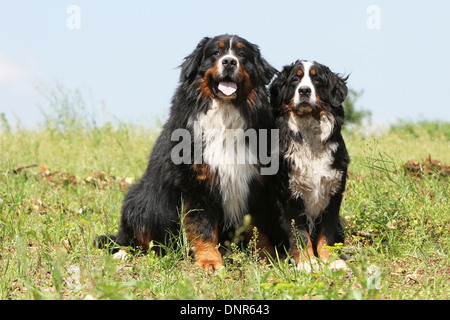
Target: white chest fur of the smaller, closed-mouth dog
312 178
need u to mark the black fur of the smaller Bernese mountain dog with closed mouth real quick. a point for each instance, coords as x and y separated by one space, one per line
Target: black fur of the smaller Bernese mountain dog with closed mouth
331 91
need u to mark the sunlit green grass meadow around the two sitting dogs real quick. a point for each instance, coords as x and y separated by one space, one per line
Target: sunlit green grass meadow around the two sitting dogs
62 184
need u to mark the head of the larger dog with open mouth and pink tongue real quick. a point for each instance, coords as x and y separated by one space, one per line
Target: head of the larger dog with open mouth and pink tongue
226 67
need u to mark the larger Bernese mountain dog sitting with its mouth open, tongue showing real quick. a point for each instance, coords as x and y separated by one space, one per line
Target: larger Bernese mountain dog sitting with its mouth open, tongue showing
193 166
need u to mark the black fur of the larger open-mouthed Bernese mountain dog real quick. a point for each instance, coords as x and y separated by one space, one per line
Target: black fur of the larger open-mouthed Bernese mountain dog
151 209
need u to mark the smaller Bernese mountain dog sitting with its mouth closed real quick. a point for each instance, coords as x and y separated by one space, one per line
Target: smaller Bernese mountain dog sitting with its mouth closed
307 100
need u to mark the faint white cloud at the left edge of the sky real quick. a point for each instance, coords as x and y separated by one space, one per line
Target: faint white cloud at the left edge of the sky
17 77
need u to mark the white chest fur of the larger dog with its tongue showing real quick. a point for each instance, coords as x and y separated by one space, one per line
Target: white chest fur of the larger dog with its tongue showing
219 124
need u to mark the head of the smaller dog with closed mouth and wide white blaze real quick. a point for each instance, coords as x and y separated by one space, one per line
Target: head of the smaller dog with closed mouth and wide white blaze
305 87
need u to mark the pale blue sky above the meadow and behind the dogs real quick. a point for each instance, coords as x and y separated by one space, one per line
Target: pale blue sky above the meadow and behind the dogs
123 55
